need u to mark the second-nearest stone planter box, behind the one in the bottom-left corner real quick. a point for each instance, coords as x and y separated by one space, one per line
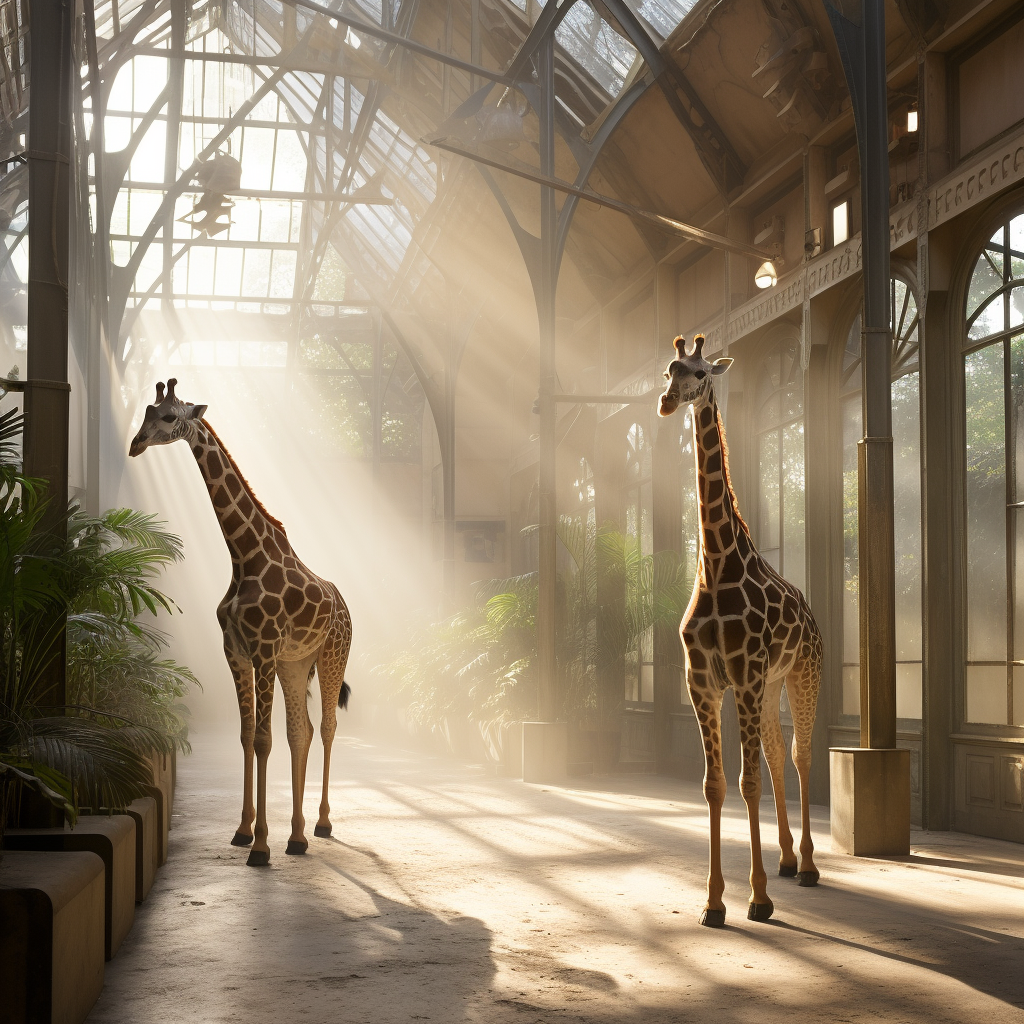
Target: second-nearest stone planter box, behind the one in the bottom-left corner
113 839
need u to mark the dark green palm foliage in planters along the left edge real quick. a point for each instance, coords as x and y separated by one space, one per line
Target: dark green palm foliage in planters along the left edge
94 596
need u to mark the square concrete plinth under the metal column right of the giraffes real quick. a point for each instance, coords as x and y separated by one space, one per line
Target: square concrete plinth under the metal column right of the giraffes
871 801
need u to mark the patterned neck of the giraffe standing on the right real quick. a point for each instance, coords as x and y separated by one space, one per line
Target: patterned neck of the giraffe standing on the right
722 528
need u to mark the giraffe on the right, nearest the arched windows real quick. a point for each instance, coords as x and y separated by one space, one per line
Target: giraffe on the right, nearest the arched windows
748 628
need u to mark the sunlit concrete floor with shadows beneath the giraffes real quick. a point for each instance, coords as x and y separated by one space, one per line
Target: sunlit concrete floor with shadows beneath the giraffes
450 895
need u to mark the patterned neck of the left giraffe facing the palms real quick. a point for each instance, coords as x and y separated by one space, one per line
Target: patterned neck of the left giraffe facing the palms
244 523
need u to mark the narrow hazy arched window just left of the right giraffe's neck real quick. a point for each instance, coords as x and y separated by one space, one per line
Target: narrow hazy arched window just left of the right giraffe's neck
638 506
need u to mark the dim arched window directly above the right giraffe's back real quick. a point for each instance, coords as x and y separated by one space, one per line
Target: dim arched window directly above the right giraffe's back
780 439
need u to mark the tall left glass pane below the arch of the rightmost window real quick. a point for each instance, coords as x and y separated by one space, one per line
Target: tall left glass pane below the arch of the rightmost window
987 500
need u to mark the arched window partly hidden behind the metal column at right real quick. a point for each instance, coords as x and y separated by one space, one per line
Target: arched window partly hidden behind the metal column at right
908 505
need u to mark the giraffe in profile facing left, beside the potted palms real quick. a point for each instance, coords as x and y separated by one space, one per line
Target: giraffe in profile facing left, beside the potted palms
278 619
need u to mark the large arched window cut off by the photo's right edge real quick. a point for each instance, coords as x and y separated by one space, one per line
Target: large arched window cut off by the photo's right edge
994 394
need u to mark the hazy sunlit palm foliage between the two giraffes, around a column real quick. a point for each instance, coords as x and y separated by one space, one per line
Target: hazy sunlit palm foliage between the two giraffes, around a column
482 663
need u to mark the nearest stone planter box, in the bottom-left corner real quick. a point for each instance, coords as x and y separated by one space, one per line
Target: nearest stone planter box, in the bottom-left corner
52 943
